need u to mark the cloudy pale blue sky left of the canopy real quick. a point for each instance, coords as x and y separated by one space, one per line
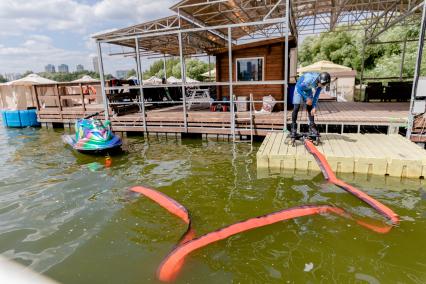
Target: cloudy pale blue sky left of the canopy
35 33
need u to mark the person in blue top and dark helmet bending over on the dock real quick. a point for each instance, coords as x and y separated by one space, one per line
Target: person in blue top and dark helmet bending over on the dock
304 92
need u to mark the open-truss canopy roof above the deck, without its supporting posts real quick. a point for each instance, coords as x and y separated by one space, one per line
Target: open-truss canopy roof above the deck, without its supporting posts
207 21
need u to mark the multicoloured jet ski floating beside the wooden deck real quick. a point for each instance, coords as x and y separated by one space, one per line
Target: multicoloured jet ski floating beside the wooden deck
91 135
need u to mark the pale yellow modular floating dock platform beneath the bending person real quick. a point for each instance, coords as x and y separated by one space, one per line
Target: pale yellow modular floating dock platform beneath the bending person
376 154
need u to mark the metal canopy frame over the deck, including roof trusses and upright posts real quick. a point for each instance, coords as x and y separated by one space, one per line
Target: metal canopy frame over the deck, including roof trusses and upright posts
206 26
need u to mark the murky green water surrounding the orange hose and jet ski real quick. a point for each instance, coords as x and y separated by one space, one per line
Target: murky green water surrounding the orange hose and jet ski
66 215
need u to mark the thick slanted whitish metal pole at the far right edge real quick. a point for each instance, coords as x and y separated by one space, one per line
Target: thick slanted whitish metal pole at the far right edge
417 71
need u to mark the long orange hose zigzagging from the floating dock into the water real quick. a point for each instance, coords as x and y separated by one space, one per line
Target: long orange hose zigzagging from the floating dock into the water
172 264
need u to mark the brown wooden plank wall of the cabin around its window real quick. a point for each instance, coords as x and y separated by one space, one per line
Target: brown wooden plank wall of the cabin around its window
273 53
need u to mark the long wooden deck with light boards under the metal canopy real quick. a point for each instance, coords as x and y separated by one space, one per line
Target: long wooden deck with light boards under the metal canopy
338 115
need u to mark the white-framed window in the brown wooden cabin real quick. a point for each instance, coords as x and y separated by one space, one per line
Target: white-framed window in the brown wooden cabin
250 69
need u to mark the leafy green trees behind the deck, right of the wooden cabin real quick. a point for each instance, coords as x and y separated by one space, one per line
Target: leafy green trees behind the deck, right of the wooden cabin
381 60
